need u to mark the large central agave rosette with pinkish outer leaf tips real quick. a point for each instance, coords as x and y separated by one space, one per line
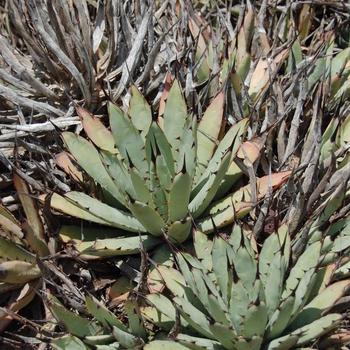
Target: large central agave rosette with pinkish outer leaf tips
158 175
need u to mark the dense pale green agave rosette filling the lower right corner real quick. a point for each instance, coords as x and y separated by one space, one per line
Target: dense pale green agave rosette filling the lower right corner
238 297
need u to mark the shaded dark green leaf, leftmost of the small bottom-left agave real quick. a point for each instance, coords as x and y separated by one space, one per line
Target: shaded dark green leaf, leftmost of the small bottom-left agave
74 323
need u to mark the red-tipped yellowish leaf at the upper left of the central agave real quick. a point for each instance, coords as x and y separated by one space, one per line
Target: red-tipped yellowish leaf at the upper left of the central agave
96 131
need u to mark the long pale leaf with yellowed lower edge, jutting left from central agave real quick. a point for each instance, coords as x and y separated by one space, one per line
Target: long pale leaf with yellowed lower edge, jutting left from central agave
84 207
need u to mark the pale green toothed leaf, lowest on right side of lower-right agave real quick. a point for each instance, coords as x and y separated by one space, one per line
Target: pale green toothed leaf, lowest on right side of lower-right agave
317 328
